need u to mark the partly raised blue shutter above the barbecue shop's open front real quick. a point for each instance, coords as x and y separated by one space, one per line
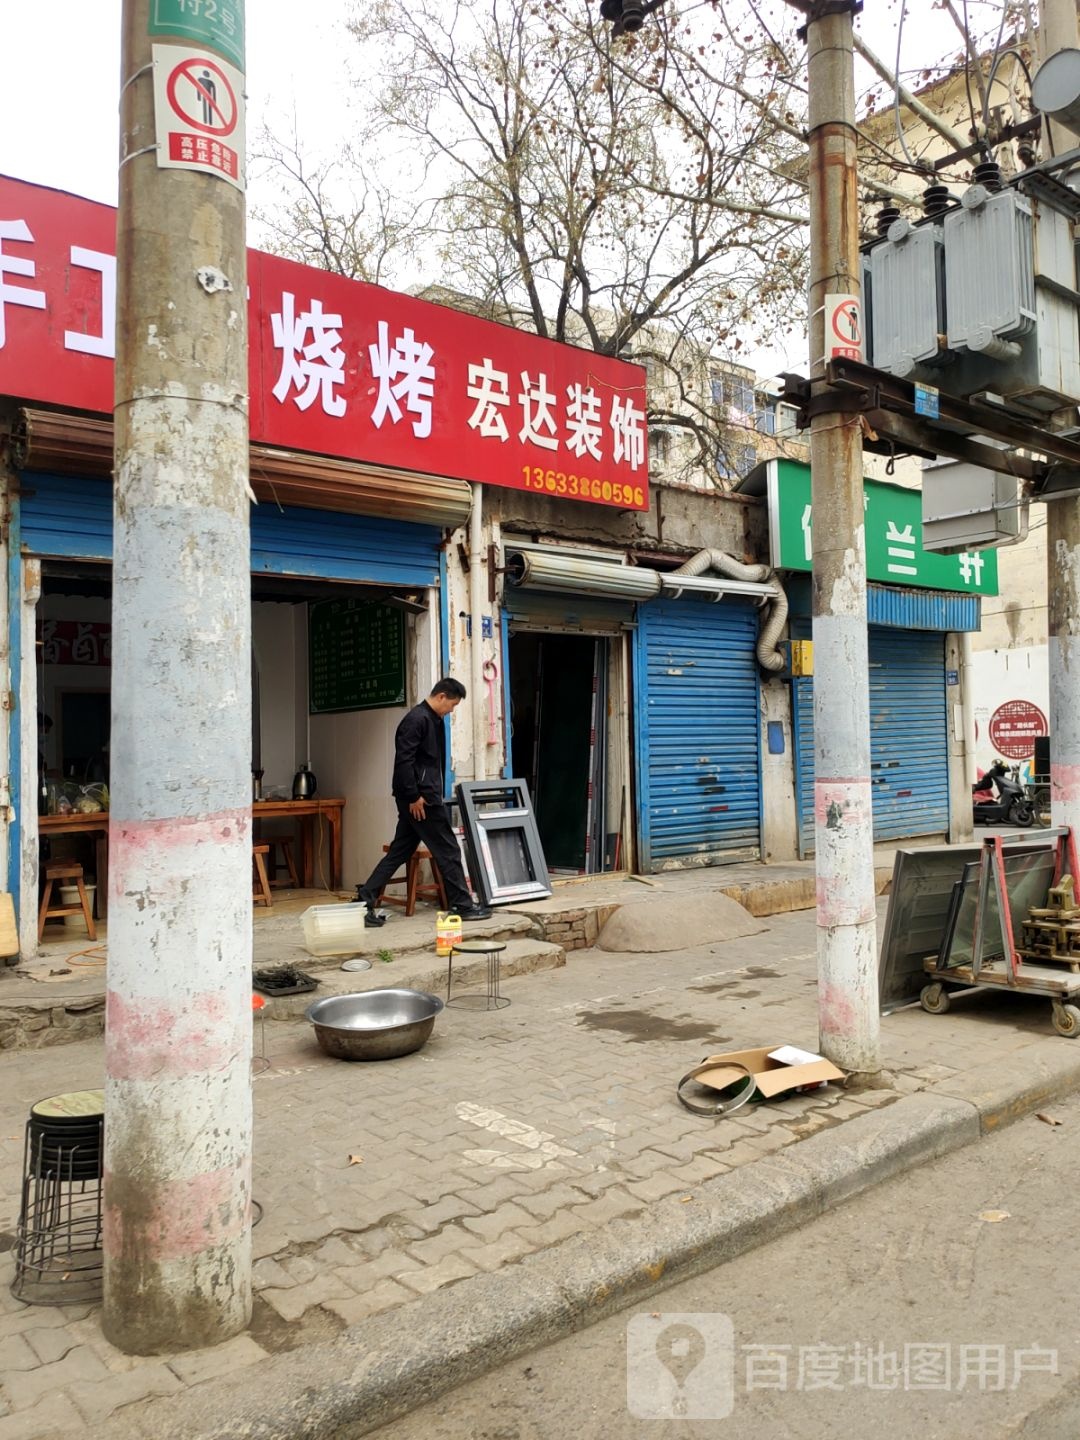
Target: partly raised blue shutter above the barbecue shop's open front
73 519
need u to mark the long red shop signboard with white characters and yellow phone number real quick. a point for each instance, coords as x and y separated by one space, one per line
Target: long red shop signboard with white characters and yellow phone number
338 368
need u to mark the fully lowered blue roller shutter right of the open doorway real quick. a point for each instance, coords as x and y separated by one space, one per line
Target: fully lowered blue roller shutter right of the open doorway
698 734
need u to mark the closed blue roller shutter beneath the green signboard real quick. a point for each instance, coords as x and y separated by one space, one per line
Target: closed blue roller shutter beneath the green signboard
909 738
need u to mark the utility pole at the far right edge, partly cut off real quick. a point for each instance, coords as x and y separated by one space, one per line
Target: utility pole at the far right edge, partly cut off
1058 31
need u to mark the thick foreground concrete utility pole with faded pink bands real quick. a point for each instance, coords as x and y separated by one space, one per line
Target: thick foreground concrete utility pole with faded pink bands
178 1042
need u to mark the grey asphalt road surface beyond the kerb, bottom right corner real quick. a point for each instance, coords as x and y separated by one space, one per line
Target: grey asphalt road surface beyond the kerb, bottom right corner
941 1305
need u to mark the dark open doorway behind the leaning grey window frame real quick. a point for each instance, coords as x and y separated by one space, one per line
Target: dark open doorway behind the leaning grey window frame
559 732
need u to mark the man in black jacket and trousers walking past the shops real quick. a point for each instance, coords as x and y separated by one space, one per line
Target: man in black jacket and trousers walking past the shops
420 778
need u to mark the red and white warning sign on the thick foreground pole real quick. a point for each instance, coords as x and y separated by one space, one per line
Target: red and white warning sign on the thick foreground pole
199 113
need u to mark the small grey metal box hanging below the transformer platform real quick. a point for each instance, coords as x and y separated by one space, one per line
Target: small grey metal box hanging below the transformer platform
967 508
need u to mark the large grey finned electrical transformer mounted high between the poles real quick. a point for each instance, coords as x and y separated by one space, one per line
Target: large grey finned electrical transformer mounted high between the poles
981 294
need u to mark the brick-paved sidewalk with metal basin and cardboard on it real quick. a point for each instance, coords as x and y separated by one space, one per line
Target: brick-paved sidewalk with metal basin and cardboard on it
509 1133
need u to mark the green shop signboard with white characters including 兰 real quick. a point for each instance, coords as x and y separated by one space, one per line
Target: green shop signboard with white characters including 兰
894 531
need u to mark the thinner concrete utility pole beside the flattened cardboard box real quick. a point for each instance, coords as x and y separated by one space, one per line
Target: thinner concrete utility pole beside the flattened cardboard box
845 826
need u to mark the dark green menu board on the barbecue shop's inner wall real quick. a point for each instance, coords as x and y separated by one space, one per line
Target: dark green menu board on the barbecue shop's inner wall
356 656
